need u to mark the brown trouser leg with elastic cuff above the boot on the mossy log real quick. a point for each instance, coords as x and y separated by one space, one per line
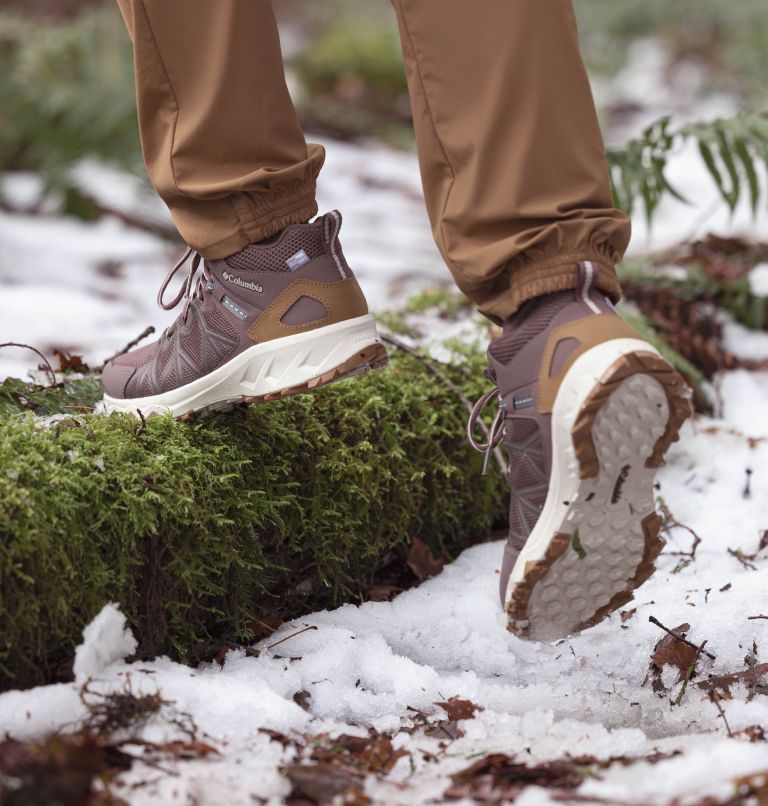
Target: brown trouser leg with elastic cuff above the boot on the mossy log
220 136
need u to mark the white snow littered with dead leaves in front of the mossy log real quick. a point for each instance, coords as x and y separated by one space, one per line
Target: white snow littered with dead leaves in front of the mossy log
375 666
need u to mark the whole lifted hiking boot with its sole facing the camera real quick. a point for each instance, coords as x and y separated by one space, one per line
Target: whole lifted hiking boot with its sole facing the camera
587 411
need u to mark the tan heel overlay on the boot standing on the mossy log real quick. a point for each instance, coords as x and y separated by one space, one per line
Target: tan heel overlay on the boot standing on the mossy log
343 300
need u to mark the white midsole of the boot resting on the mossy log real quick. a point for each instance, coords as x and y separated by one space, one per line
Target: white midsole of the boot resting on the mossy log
263 369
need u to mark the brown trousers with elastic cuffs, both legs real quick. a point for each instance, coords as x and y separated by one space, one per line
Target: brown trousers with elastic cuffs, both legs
511 155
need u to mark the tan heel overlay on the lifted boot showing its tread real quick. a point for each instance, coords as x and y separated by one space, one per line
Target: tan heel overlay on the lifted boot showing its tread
589 332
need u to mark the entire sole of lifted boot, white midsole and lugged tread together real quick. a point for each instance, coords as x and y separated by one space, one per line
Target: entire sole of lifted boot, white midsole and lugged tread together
596 538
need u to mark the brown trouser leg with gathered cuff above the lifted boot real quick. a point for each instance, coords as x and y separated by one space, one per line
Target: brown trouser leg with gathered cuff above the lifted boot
512 159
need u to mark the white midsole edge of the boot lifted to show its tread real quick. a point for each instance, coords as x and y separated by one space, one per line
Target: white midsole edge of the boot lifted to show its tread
565 481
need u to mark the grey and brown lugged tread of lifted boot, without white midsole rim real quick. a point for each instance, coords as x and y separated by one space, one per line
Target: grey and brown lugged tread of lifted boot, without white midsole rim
608 541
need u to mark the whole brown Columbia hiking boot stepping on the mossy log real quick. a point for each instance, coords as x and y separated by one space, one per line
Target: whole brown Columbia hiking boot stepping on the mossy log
278 318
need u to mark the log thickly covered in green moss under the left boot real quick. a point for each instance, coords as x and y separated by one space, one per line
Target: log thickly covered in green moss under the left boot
197 530
